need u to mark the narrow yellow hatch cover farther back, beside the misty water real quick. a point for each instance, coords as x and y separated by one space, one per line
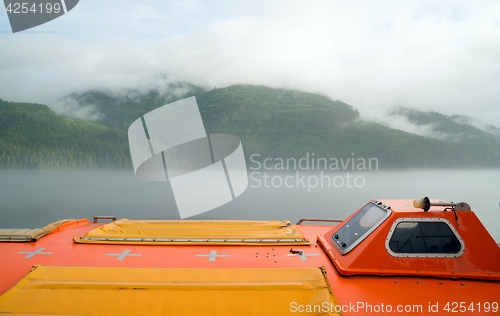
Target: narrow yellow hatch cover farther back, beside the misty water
126 231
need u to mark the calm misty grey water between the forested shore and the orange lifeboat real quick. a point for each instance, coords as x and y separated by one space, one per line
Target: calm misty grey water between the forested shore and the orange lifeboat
34 199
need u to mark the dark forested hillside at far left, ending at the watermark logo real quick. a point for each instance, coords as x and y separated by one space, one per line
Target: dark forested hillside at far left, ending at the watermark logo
32 136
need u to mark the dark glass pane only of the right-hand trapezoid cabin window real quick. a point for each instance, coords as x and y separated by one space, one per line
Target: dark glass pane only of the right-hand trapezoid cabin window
424 237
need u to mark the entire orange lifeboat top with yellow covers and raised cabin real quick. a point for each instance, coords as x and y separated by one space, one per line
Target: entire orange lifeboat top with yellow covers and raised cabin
416 257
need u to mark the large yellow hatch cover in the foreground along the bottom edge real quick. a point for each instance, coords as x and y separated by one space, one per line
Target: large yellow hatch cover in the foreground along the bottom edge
149 291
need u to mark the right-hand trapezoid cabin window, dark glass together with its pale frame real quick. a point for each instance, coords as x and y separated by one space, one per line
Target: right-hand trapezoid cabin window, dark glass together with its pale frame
424 237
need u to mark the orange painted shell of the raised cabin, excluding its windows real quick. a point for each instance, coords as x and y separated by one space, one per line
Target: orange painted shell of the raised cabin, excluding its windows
480 260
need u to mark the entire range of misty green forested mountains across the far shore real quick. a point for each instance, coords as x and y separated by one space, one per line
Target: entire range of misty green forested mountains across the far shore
270 122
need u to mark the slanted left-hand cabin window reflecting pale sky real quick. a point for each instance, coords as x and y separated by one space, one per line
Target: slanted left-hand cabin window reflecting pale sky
360 226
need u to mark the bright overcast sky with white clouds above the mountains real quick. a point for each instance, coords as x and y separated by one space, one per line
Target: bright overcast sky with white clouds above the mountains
374 55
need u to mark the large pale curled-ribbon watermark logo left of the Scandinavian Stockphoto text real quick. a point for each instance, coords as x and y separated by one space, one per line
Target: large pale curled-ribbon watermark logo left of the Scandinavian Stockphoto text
204 171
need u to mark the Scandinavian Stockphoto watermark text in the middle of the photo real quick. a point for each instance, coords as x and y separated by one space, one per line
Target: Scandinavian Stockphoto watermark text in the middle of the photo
310 172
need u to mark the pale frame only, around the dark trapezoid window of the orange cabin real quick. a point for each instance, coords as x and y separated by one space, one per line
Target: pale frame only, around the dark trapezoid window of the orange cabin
424 255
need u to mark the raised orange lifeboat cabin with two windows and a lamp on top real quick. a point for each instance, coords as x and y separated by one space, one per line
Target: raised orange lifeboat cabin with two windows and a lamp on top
423 238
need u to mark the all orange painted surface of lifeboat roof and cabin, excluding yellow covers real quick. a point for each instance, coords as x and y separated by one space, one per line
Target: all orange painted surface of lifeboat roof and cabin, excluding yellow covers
363 287
